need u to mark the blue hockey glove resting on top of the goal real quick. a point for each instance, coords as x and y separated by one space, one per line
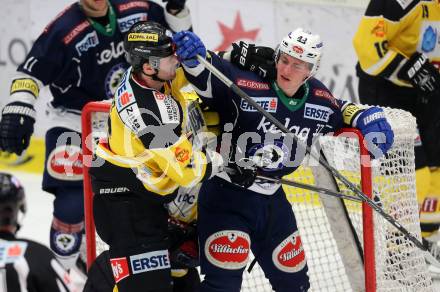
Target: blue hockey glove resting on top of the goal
376 130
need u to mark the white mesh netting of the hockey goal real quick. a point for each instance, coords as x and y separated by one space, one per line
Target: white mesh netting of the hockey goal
399 265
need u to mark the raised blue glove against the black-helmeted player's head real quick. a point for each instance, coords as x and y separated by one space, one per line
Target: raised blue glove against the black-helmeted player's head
189 46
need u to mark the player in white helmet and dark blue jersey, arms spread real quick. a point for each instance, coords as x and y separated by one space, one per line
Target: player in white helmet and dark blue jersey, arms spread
238 213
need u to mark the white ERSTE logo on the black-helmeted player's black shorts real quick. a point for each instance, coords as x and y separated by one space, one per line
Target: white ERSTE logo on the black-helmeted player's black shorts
150 261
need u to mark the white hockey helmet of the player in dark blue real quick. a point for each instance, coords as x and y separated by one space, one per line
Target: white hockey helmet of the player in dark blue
303 45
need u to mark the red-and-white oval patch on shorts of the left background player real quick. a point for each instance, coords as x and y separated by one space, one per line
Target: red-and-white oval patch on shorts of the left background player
65 163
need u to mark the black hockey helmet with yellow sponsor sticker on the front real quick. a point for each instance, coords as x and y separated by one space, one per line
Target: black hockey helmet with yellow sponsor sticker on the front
147 42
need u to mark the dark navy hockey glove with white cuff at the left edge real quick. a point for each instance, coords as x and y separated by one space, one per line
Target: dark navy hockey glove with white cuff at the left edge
16 127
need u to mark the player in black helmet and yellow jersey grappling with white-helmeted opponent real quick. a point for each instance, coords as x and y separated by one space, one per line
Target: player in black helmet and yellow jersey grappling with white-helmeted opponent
154 147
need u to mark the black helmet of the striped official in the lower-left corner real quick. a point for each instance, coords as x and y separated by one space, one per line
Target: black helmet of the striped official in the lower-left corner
12 200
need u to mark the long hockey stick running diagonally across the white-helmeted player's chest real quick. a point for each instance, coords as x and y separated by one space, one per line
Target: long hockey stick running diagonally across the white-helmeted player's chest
352 187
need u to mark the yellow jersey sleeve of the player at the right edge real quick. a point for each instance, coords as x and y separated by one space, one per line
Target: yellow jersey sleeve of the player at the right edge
387 36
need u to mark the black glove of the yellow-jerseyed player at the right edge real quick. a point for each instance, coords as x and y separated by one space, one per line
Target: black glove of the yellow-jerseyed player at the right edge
420 73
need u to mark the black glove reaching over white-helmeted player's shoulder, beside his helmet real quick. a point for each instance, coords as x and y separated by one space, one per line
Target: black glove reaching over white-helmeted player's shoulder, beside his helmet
255 59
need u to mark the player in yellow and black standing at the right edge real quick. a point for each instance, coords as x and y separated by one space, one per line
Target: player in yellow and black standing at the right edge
398 46
